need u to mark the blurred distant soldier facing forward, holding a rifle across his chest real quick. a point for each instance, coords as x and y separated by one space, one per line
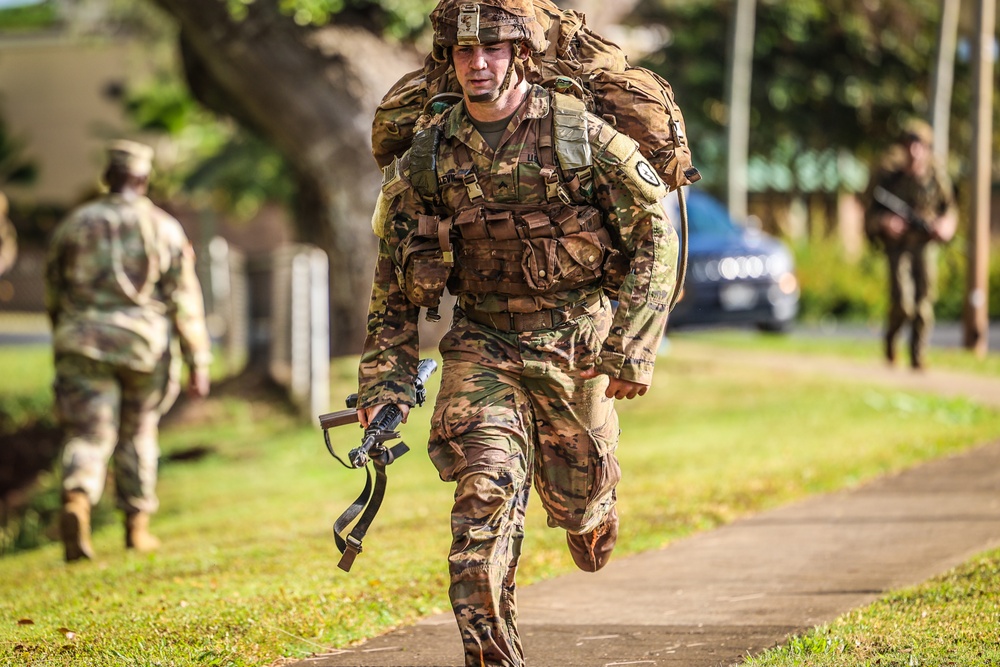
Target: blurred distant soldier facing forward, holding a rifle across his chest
910 208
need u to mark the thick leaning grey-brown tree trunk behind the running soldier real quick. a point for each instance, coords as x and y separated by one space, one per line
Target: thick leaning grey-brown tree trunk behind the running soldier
312 94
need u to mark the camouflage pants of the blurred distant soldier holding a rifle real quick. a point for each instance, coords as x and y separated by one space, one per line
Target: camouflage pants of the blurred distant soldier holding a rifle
912 278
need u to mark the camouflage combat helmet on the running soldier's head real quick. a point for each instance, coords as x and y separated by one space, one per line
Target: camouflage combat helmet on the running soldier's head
485 22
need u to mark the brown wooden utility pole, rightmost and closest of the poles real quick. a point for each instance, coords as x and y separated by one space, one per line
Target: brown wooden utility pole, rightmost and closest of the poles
976 317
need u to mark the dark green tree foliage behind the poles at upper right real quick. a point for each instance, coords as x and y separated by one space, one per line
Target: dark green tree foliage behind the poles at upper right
839 74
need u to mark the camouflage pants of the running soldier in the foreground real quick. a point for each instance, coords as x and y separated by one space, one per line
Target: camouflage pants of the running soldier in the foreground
513 411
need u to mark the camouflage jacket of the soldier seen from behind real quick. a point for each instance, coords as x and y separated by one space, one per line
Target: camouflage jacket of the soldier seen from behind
120 283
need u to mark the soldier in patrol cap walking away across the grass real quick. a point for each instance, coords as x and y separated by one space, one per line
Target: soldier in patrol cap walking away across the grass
120 289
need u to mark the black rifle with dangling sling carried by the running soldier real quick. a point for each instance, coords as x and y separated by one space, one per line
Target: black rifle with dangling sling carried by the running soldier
372 450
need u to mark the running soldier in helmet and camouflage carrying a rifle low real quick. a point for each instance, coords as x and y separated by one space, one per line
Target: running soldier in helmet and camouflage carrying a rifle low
528 208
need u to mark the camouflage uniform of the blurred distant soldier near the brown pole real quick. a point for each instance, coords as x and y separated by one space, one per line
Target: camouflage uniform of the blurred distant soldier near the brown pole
912 258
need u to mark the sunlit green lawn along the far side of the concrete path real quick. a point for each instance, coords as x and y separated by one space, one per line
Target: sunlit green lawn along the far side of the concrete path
248 570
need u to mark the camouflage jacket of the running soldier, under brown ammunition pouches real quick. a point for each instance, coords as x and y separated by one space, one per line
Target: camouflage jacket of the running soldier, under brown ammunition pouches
601 168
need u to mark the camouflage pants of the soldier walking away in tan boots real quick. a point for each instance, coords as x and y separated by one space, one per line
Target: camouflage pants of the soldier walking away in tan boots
106 412
